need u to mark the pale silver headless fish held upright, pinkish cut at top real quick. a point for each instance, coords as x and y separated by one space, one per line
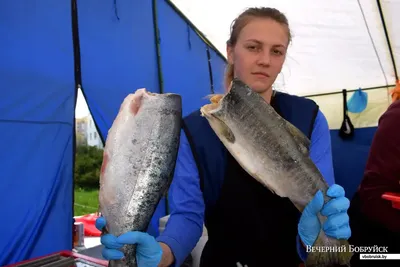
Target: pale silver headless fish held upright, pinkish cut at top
138 163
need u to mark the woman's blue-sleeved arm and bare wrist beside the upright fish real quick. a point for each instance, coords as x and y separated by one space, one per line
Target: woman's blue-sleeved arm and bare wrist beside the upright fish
185 224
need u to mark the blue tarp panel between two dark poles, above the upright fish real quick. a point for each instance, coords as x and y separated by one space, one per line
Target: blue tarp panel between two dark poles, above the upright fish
118 54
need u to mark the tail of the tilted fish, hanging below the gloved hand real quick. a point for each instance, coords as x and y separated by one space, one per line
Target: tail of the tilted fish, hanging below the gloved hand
329 252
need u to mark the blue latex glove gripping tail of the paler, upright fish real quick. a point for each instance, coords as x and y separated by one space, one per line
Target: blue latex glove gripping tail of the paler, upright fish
148 252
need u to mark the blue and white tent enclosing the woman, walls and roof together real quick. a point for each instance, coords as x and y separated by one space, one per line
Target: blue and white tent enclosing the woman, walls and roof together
110 48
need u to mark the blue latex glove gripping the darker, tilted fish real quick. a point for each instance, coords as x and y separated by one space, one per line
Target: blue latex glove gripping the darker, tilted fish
337 223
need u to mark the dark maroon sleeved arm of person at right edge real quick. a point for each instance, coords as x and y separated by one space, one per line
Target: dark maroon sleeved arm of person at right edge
382 172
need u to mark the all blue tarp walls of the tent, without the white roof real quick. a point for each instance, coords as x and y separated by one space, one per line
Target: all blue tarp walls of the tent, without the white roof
37 102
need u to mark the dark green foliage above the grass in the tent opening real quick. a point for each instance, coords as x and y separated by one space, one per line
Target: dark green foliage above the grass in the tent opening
88 162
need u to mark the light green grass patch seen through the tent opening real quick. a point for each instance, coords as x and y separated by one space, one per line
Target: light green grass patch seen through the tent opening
86 201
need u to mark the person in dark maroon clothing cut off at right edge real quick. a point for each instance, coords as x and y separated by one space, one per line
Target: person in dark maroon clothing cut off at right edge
374 220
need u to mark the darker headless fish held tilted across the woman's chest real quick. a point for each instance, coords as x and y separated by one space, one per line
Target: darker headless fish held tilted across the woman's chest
276 154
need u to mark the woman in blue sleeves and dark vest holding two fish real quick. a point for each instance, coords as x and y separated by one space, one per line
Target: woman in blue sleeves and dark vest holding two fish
246 223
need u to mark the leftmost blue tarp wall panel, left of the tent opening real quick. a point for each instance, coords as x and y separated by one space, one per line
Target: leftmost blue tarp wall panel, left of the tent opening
37 102
